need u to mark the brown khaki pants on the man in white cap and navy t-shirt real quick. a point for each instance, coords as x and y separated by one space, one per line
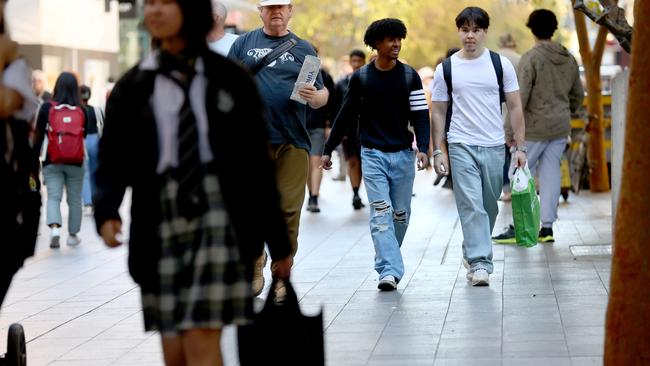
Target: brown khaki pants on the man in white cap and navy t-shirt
291 169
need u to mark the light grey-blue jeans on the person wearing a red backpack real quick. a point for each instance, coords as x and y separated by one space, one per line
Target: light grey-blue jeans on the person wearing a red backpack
56 177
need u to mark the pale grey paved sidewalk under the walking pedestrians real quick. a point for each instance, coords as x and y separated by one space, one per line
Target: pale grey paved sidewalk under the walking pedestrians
545 305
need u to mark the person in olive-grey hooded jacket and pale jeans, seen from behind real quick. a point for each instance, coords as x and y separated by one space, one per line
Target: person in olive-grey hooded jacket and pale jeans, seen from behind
550 91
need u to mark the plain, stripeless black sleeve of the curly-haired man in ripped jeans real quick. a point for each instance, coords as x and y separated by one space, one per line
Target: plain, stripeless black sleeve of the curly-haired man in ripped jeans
349 112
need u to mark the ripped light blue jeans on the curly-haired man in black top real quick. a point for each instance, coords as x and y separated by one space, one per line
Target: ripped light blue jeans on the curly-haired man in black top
388 177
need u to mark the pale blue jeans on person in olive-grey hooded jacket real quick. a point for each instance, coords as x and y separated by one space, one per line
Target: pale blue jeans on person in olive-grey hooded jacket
544 157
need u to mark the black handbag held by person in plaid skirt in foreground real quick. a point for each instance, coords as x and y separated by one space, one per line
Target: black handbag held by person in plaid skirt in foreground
282 335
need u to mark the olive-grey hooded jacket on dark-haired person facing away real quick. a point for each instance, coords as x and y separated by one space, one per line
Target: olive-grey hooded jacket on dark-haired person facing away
550 89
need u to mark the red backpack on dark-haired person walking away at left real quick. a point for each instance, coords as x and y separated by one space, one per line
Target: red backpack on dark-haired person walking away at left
65 134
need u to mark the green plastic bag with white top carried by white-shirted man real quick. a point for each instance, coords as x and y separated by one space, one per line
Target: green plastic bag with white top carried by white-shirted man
525 207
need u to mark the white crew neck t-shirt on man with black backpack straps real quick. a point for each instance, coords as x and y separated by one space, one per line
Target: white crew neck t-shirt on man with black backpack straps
476 111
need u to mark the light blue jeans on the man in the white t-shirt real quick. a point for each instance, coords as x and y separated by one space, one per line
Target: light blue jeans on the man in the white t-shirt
478 178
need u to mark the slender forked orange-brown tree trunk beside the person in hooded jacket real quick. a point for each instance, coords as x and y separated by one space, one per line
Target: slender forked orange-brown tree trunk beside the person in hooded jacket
598 177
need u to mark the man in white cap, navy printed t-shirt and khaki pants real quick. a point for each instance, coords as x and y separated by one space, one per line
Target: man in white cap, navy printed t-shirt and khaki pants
286 118
